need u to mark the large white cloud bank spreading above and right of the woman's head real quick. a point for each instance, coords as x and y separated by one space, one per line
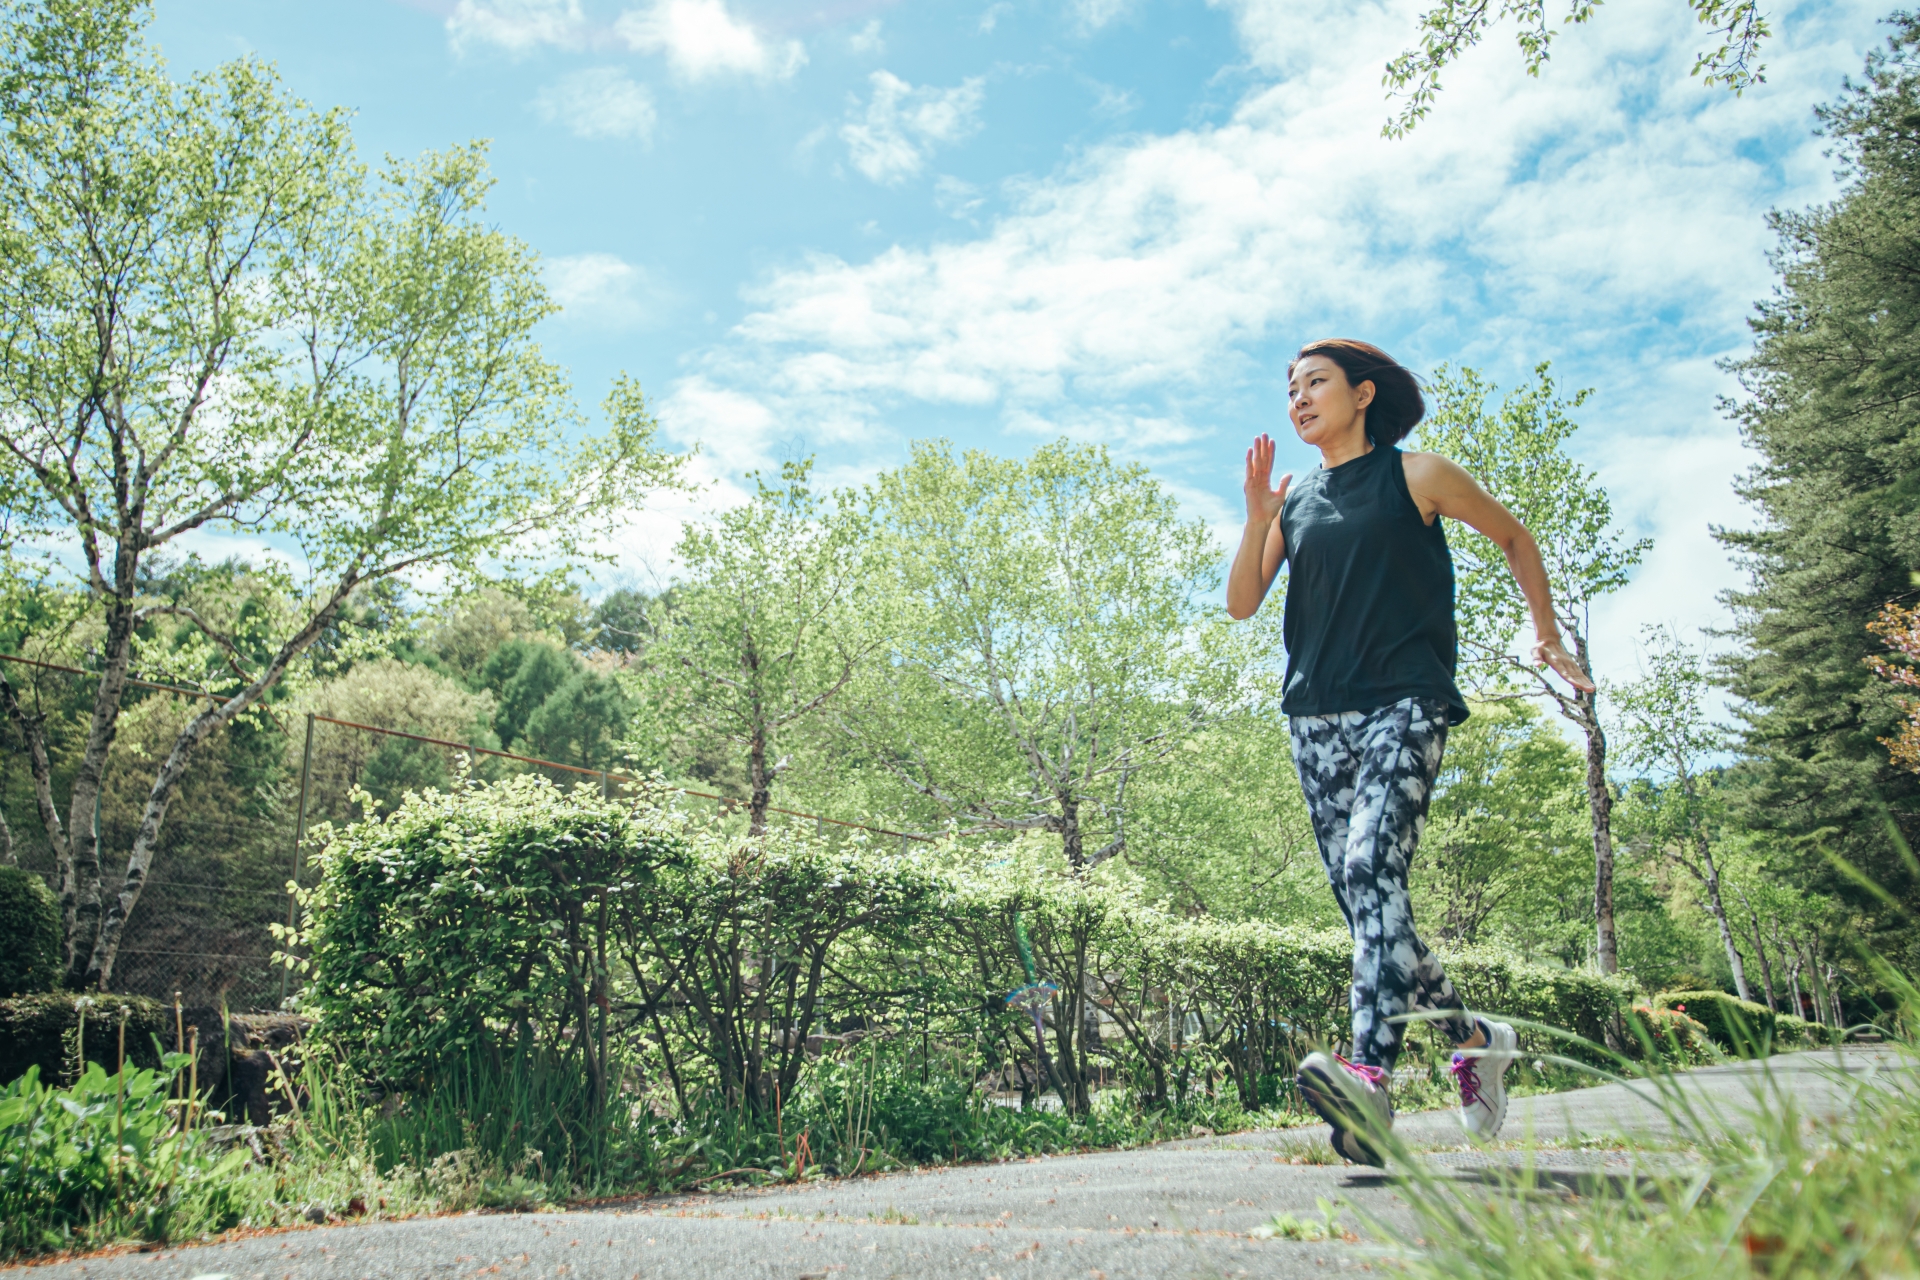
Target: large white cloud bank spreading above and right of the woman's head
1606 216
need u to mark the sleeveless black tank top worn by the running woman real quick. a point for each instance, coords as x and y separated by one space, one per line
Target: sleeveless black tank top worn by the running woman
1370 594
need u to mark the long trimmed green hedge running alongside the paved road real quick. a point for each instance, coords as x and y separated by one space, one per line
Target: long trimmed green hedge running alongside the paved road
617 941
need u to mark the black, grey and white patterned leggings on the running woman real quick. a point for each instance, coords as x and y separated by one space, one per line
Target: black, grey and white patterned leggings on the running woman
1368 778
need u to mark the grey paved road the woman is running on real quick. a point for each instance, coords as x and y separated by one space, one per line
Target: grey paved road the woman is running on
1159 1214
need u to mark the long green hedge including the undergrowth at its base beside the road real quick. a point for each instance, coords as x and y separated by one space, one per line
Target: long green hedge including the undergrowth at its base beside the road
533 976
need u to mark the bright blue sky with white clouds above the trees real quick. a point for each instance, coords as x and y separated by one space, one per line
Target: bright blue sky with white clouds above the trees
838 227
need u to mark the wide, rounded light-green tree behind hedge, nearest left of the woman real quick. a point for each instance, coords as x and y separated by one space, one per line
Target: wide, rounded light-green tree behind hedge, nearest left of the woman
1051 640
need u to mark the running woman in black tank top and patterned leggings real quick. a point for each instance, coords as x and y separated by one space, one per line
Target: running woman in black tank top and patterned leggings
1370 696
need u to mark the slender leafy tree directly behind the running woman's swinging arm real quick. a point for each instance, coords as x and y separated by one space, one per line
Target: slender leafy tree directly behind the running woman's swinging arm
1518 452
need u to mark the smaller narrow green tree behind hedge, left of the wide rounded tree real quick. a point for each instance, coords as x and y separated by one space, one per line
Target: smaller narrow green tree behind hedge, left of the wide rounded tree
761 632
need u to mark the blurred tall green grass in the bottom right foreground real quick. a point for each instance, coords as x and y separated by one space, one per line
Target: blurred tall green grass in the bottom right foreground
1771 1187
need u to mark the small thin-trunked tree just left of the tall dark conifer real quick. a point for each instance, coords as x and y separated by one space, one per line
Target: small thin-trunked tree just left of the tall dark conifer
1671 736
